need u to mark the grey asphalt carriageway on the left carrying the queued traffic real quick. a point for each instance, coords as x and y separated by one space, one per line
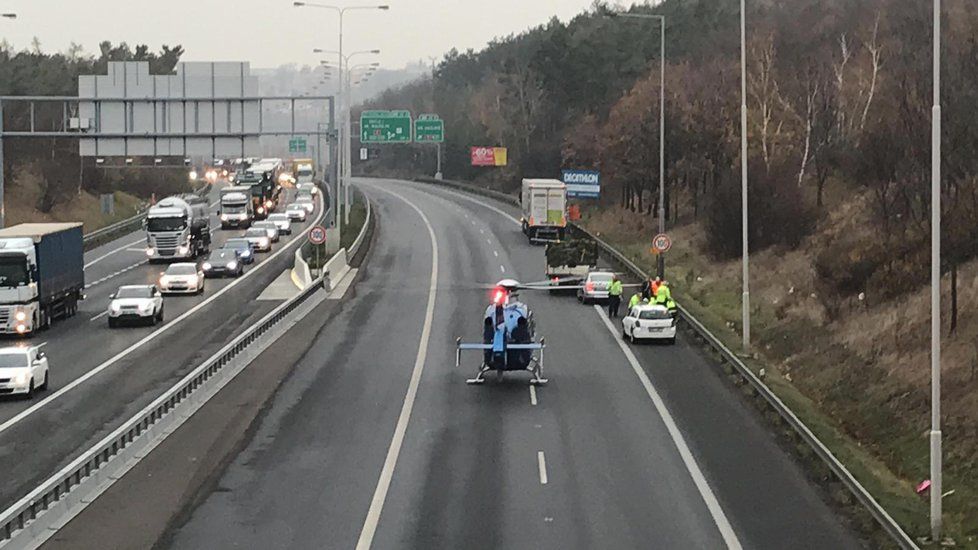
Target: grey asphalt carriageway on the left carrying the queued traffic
101 376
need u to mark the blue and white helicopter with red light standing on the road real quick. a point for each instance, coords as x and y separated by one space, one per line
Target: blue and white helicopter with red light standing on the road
508 336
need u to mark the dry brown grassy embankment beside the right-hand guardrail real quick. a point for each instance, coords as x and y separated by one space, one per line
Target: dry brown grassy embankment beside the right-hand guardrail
860 380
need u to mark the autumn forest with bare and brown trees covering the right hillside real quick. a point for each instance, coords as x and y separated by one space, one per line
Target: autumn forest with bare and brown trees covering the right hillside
838 95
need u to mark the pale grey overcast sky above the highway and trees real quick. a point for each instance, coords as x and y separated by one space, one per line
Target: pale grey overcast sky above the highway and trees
272 32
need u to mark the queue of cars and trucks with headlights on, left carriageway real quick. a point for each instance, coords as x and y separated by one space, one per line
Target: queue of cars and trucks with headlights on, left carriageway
177 230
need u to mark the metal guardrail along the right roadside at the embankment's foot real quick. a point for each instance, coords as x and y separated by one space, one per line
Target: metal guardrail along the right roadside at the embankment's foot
889 525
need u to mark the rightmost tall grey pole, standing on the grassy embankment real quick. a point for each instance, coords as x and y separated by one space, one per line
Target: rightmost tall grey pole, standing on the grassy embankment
935 289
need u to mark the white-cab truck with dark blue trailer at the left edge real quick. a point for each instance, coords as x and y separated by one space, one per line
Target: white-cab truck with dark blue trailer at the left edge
42 275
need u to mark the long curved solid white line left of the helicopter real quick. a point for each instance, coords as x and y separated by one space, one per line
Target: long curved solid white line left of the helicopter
387 473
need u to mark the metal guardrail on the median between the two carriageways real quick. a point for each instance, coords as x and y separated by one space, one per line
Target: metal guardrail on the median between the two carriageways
30 521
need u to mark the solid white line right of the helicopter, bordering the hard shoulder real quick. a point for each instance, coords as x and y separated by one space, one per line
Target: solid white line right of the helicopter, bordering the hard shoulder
719 518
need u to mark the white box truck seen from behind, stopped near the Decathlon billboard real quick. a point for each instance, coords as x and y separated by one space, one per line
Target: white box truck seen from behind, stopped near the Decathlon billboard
544 203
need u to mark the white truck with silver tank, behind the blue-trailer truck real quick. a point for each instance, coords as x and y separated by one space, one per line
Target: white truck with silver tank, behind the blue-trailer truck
178 227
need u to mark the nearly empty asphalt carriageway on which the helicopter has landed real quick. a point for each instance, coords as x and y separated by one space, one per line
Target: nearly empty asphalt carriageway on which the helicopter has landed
377 440
